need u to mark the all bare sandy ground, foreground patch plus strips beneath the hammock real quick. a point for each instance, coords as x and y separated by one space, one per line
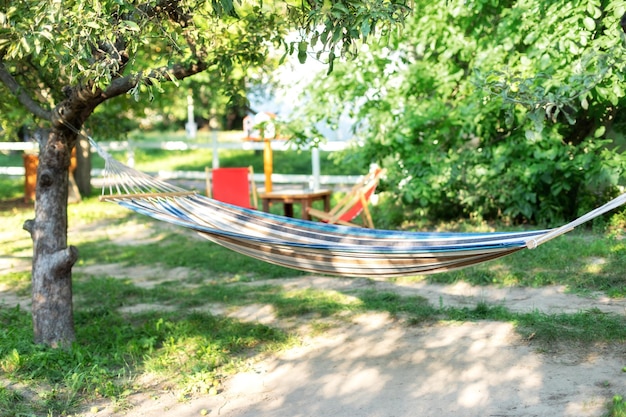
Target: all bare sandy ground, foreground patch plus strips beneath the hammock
375 365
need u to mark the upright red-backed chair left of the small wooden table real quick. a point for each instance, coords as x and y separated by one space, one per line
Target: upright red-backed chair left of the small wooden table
232 185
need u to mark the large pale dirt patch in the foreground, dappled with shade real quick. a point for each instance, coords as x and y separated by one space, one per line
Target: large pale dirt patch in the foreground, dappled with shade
376 367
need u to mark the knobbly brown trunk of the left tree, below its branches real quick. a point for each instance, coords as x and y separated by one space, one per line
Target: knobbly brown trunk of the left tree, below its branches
52 312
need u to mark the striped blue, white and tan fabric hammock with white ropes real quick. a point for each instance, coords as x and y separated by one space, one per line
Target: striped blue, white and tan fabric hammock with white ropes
314 246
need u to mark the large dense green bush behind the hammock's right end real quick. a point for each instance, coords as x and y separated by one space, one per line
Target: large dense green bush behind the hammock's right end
491 109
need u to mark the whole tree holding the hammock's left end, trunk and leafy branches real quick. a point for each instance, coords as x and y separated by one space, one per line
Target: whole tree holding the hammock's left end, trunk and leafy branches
60 61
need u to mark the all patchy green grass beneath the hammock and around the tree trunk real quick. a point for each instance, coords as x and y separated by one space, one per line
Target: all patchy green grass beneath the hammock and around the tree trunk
189 350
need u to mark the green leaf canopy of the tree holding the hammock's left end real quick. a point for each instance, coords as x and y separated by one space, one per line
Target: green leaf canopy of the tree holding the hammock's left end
98 43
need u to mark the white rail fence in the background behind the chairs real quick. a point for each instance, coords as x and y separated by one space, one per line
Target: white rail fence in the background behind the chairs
313 181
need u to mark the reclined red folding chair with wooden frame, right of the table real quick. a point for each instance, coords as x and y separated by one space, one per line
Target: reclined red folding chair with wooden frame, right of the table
353 204
